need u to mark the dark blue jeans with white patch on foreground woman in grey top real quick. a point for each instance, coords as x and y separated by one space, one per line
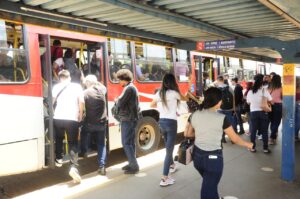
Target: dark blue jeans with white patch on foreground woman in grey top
210 166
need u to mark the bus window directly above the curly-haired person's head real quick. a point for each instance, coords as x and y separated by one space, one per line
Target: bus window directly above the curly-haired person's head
119 57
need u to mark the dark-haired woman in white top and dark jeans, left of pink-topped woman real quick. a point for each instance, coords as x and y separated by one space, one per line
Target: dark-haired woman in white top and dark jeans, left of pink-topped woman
259 118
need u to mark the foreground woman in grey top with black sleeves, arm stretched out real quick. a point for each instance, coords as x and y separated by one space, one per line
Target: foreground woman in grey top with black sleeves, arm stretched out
207 153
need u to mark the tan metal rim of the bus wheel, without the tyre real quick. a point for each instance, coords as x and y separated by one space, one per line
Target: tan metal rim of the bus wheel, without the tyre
146 137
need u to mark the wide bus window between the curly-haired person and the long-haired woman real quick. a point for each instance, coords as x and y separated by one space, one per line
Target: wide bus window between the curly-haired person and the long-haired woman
152 62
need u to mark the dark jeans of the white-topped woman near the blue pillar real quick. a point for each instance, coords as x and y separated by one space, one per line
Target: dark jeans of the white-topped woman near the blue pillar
260 123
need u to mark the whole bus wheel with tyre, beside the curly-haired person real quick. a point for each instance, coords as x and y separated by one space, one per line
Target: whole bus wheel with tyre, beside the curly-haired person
147 136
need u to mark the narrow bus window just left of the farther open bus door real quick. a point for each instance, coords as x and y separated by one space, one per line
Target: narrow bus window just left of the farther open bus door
182 65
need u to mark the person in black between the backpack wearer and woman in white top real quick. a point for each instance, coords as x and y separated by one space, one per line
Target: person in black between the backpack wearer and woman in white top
238 101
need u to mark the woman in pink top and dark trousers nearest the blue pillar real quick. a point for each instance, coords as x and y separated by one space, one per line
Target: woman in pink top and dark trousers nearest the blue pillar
275 90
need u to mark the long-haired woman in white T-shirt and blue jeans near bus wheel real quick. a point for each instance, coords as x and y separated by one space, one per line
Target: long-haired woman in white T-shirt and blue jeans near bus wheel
167 100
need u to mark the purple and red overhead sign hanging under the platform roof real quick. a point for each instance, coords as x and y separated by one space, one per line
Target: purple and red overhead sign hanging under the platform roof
215 45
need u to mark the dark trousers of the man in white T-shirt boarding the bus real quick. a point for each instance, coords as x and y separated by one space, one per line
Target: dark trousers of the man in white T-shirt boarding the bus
71 129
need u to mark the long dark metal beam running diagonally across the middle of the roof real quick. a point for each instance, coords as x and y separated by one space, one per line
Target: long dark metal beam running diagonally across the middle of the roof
147 10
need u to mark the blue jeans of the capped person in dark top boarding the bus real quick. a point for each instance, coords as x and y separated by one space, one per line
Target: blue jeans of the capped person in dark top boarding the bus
100 131
